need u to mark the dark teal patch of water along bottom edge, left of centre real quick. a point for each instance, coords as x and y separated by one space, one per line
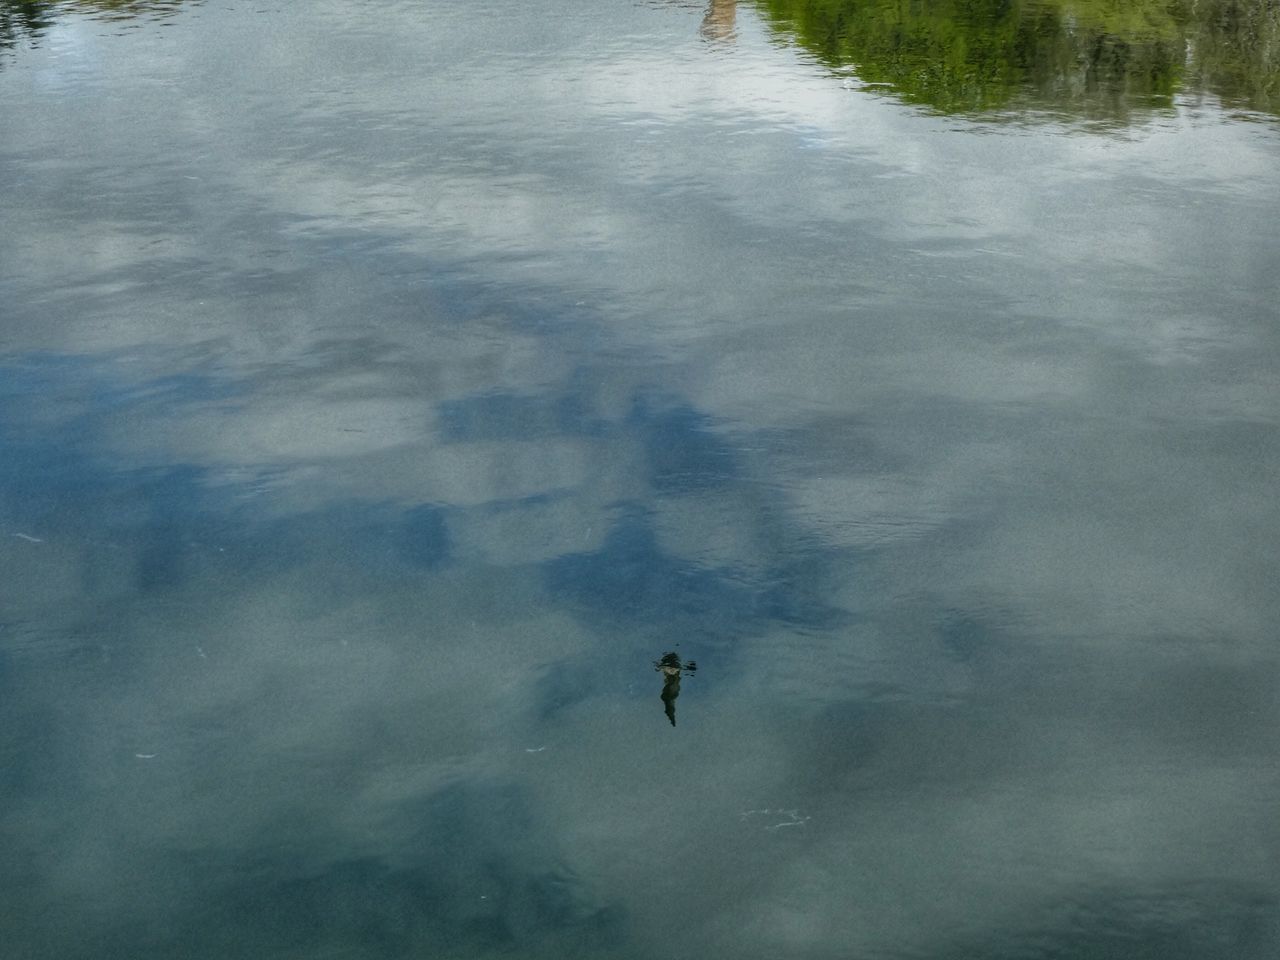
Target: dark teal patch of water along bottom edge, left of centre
473 875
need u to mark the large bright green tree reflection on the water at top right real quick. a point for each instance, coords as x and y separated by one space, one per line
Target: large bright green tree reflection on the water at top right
1094 60
